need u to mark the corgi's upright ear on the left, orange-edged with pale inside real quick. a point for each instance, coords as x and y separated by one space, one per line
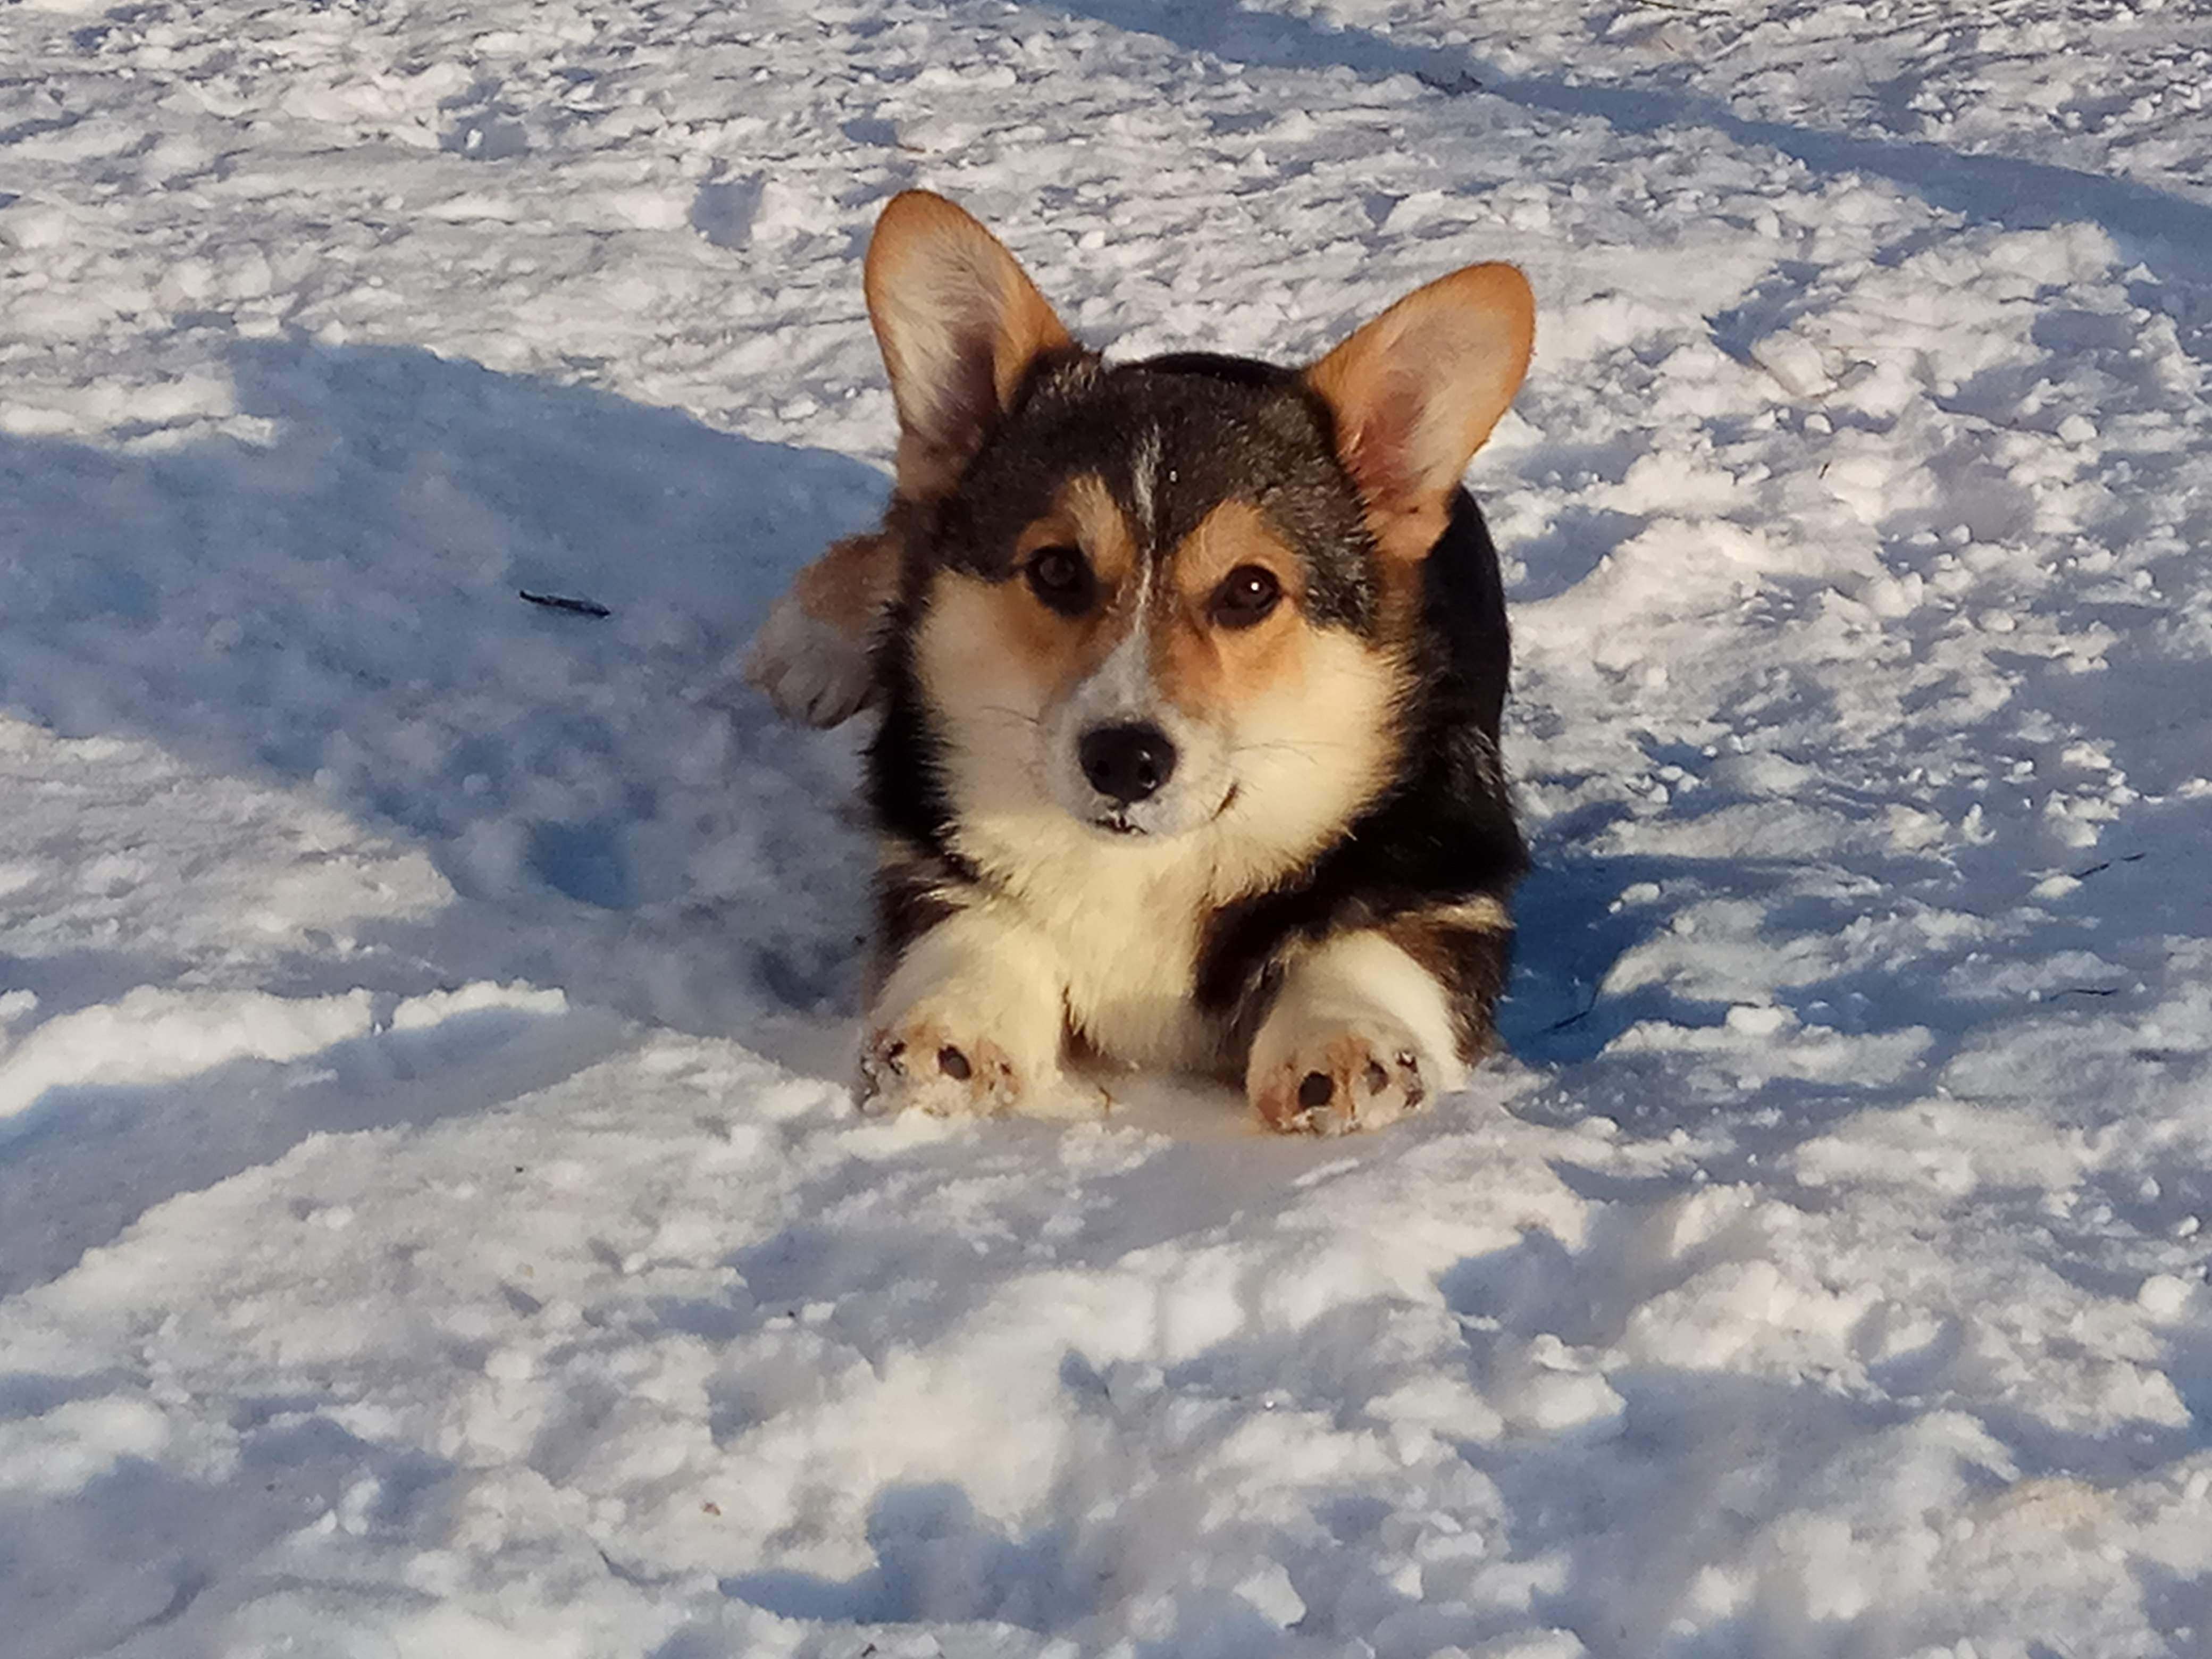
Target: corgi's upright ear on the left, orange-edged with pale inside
959 324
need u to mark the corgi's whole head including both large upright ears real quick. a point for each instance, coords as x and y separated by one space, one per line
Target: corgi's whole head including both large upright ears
1173 598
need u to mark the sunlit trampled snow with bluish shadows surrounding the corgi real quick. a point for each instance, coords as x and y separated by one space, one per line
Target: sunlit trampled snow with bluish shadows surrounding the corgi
430 1215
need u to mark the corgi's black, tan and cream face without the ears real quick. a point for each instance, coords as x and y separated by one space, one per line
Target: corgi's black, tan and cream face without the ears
1156 609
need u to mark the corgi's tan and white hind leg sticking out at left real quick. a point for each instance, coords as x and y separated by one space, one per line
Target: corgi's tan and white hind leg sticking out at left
813 658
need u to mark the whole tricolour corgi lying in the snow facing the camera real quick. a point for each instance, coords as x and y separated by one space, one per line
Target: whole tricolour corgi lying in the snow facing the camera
1189 682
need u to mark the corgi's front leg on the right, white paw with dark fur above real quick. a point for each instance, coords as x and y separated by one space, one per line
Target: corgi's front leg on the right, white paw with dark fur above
1370 1025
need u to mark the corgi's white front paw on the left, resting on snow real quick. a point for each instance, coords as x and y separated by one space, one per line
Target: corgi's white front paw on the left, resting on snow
970 1021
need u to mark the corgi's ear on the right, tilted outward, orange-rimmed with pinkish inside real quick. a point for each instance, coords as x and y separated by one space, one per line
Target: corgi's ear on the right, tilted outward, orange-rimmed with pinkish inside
1421 388
